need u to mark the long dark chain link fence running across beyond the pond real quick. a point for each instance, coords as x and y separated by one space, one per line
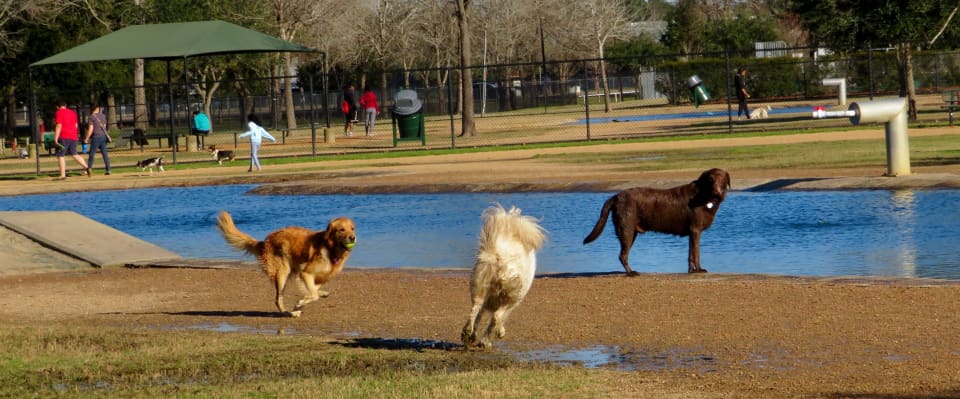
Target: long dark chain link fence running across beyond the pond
513 104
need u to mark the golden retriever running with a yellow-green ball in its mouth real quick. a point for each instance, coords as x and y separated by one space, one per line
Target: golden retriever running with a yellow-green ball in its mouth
313 256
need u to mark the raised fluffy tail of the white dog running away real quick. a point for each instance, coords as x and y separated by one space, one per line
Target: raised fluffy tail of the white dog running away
498 222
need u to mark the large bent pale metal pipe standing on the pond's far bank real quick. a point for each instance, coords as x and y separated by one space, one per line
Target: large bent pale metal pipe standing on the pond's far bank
891 111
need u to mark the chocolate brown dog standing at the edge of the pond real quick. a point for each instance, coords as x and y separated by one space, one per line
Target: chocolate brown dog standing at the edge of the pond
686 210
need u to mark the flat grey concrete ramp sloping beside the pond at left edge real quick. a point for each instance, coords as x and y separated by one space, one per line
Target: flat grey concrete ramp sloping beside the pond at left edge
84 238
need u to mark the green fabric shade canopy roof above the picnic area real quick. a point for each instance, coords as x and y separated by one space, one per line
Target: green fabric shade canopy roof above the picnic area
174 40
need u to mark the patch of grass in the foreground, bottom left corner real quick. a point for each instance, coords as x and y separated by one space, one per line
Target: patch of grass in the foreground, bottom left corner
82 362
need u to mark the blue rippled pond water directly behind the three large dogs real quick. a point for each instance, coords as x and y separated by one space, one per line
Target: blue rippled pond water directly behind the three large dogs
875 233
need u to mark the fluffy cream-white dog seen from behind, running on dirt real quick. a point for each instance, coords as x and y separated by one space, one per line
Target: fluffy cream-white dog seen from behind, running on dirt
504 269
